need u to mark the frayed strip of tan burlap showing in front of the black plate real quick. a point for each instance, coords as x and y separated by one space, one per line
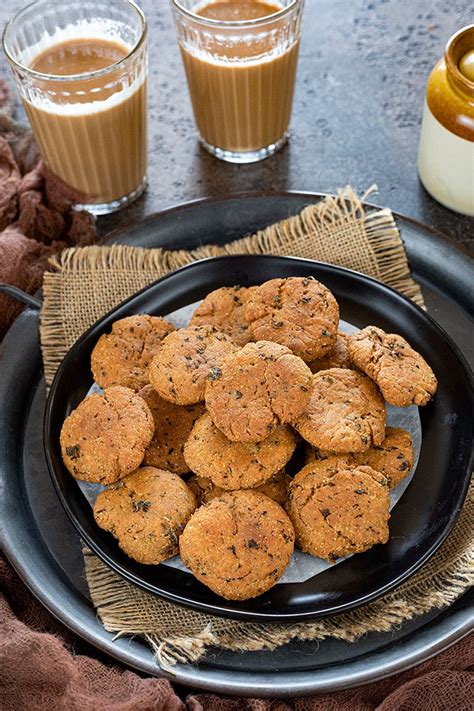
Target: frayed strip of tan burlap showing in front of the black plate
178 634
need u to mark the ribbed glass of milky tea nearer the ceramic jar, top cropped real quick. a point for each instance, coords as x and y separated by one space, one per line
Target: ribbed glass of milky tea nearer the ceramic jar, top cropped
240 61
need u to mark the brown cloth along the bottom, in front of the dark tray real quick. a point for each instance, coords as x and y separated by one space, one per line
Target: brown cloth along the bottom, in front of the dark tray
44 667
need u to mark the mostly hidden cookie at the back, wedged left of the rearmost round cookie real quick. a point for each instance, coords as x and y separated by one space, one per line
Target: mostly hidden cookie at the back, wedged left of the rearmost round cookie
224 309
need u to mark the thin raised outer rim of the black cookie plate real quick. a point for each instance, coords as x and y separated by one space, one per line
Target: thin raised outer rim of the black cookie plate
211 608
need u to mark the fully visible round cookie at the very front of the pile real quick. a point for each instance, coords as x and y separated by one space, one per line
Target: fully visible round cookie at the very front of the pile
238 545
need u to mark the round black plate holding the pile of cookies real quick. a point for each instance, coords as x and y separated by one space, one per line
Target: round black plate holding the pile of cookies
420 521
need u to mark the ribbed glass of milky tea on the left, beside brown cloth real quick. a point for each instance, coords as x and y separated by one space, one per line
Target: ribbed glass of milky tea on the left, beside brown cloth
81 69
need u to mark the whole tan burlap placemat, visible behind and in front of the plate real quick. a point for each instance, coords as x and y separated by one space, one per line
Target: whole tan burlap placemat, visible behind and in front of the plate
86 283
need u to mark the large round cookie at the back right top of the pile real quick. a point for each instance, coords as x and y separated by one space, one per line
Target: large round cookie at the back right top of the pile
297 312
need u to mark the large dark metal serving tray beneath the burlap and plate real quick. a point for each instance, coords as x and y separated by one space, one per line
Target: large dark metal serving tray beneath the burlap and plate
45 550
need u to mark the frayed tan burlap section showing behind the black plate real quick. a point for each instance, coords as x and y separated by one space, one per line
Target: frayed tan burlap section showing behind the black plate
337 230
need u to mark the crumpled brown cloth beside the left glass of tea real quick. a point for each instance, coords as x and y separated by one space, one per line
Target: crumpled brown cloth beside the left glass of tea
36 215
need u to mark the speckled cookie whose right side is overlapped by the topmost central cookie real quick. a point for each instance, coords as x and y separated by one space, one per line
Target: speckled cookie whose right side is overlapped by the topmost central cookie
179 370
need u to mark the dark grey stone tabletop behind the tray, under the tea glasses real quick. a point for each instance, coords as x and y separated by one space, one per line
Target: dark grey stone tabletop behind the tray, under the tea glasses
360 89
